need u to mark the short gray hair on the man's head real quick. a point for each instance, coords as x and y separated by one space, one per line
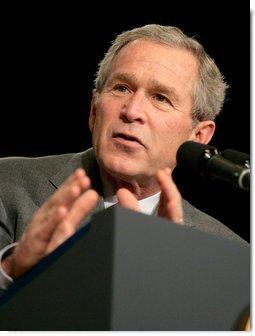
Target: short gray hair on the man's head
209 88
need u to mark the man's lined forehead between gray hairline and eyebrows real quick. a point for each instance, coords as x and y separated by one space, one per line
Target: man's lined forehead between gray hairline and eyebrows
149 62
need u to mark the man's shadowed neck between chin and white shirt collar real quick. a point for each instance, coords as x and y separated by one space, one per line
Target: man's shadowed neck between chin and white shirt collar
141 188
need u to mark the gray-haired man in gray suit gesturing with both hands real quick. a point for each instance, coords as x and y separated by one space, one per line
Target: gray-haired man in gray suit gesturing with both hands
155 89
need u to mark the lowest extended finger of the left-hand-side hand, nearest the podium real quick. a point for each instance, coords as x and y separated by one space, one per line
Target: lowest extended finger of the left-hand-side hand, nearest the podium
80 209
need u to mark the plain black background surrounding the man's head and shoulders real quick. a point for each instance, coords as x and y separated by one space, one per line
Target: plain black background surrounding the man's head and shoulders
49 57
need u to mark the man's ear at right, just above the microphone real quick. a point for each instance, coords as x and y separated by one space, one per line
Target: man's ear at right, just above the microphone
203 131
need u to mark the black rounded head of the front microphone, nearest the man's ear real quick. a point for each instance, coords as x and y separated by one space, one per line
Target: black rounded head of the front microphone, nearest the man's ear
193 156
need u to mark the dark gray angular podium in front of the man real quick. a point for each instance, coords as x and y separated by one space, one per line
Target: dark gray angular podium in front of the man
126 271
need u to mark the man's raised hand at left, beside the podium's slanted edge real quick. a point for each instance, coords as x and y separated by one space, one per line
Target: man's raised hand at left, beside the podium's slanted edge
53 223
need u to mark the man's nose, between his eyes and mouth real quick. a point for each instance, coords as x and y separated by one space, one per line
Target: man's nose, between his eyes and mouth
134 108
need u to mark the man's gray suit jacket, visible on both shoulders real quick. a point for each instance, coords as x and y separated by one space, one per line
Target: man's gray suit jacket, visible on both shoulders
26 183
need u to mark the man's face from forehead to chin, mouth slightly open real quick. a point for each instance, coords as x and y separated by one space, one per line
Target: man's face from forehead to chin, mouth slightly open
143 114
